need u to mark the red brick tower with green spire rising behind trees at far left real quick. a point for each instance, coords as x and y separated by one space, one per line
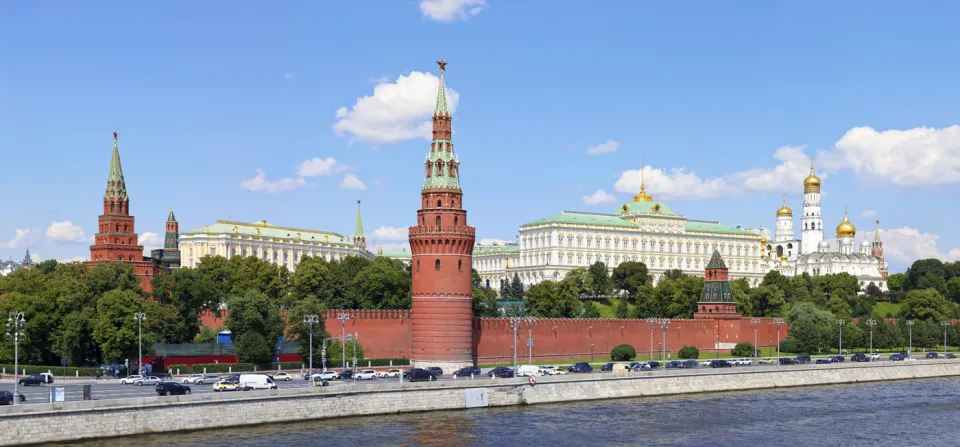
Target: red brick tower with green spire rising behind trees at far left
115 239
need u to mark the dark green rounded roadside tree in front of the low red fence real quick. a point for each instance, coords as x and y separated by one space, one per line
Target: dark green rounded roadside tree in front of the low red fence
255 325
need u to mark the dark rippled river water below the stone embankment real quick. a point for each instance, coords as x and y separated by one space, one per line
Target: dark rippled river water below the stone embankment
909 413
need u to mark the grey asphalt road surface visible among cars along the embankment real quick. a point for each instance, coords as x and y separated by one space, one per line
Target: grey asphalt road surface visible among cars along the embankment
111 389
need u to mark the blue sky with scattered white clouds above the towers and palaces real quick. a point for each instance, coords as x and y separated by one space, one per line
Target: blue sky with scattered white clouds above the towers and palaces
555 101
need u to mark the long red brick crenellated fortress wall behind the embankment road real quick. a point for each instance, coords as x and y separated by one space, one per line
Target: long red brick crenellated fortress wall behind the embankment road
387 334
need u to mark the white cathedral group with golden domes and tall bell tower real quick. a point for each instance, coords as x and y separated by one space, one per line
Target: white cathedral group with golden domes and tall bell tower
813 254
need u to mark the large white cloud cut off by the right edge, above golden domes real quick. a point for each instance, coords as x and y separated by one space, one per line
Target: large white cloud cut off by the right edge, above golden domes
918 156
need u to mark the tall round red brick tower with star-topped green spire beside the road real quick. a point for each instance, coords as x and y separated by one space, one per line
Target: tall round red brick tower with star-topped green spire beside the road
442 247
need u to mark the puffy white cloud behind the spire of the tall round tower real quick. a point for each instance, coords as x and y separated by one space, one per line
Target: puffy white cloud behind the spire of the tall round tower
395 112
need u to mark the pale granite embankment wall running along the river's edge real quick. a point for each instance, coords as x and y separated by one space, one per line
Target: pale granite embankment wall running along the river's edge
71 421
